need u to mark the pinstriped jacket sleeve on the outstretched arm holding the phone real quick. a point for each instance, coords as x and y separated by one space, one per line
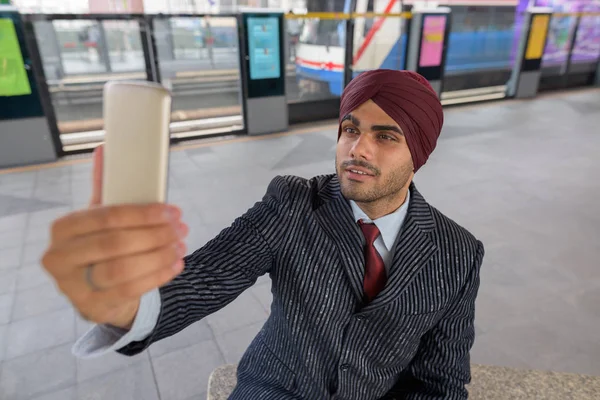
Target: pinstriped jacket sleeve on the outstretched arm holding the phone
221 270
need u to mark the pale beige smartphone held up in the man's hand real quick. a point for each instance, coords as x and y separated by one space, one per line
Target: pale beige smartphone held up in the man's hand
136 149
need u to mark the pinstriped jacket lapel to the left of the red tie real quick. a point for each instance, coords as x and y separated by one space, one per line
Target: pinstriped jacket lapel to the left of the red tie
336 219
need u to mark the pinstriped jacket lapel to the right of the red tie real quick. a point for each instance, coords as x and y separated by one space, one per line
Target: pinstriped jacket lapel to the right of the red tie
412 250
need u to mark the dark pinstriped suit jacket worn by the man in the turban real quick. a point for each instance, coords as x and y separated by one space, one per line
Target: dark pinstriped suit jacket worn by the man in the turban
321 340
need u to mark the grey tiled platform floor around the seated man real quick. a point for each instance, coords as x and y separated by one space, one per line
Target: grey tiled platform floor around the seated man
523 176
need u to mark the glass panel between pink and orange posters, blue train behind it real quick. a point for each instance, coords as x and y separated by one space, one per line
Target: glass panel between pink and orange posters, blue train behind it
479 47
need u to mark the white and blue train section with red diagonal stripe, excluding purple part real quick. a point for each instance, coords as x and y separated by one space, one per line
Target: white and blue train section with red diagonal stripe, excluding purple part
482 38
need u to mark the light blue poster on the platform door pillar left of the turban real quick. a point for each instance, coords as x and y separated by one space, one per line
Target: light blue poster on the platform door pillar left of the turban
263 41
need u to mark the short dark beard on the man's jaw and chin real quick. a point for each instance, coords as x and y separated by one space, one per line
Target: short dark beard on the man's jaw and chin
382 185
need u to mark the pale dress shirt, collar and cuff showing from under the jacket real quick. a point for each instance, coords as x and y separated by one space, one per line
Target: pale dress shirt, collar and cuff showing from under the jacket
101 339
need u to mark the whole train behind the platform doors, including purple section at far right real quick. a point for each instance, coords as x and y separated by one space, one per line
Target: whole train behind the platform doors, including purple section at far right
481 45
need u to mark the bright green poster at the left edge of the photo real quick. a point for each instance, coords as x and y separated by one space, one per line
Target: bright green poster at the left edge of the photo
13 76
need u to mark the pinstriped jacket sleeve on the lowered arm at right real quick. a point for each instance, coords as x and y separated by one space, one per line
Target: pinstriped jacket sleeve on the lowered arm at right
442 367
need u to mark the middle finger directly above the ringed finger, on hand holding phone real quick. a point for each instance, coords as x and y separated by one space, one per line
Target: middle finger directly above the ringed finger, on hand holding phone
109 245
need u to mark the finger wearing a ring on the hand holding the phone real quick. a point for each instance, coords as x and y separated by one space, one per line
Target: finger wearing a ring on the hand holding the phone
126 269
